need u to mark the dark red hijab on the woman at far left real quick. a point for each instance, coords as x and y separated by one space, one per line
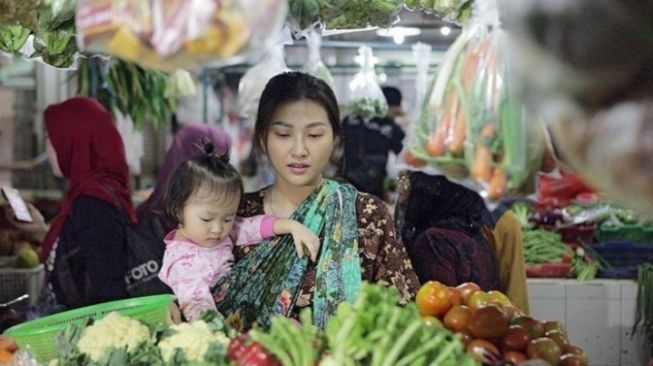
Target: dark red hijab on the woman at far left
91 156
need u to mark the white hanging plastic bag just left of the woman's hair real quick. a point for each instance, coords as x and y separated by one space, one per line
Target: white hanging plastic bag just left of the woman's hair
253 82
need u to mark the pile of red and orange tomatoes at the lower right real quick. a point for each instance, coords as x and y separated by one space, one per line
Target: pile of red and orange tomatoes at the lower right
493 330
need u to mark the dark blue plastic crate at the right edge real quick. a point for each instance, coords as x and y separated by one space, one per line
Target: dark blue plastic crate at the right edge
623 257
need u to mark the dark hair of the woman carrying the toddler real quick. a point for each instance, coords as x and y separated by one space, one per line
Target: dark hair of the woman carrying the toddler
290 87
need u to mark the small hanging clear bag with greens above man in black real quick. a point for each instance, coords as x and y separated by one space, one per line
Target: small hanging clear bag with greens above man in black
366 98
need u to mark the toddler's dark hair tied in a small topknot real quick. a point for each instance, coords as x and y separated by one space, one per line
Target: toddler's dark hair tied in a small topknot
209 172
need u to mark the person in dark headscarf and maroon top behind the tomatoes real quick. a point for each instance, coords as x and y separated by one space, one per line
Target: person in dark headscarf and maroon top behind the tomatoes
447 231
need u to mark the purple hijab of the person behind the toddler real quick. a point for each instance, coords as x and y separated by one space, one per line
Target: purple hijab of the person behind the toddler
185 145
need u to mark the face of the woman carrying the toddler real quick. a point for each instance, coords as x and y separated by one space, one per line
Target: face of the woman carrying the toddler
299 142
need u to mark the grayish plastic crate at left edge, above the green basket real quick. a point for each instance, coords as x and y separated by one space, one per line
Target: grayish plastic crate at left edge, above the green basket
15 282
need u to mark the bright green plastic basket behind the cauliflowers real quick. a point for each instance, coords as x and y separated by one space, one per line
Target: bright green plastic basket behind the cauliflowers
40 334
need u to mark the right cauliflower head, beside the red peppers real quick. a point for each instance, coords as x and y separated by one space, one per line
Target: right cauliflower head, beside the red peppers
193 339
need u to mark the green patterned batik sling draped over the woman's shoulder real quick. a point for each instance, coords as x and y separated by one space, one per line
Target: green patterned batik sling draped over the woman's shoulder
267 281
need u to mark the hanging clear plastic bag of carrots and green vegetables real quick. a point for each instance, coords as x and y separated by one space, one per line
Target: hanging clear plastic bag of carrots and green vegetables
471 126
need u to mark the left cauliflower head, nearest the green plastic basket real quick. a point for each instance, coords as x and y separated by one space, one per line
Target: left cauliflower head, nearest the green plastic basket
114 330
